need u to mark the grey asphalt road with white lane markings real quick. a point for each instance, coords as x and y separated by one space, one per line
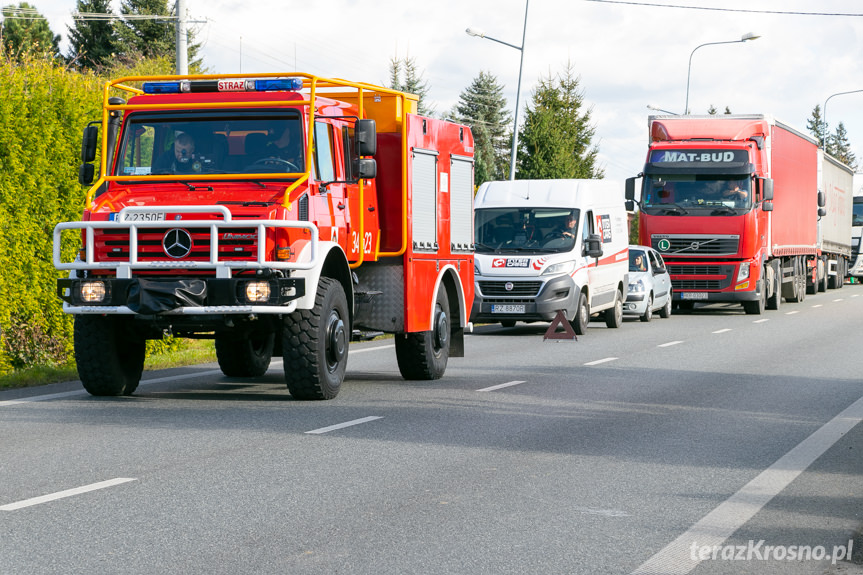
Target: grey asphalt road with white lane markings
669 447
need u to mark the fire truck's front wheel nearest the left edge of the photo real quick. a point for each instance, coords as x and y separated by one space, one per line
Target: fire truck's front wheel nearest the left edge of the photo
110 357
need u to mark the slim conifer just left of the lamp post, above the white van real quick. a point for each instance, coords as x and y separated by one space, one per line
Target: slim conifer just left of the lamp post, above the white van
482 107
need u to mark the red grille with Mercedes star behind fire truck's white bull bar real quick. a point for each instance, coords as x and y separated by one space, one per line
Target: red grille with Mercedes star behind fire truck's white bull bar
154 244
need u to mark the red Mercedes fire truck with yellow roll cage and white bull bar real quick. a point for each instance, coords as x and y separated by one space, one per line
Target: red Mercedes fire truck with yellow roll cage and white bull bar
281 215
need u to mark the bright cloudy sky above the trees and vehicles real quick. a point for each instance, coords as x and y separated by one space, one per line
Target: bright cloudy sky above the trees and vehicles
628 54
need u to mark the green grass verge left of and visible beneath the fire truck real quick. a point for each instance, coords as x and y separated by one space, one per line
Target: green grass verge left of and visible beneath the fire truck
192 353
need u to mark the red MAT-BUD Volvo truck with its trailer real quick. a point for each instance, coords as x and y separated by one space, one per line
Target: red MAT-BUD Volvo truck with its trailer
736 206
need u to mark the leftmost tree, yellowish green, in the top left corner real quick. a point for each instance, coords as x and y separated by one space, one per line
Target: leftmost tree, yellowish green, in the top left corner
26 32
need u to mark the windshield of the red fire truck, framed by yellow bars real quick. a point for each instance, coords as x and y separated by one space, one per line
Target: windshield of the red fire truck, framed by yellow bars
227 142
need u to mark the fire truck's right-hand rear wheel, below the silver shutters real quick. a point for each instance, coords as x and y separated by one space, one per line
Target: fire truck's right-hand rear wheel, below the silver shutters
424 355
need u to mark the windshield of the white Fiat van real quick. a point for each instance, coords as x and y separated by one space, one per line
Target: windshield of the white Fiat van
537 230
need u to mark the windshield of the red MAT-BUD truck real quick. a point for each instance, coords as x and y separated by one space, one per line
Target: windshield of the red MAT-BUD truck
696 195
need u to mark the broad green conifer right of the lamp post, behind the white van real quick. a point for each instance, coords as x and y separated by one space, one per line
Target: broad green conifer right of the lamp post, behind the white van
556 138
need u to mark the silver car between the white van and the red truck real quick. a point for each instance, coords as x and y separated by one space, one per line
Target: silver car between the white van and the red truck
649 284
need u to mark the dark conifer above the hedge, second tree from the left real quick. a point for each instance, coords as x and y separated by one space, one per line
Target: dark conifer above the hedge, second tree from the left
93 42
